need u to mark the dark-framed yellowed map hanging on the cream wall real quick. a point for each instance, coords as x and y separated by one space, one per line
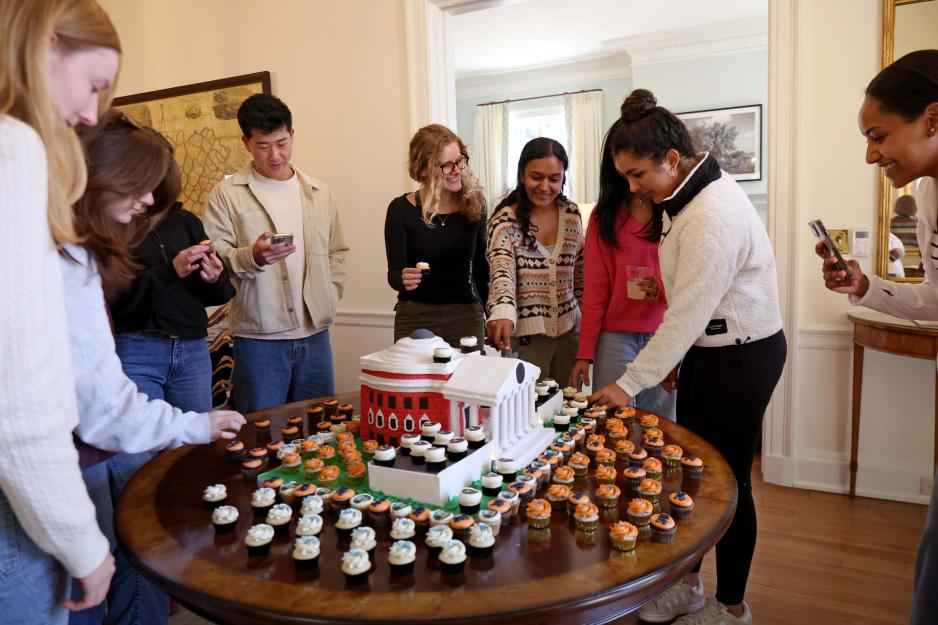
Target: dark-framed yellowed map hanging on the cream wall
200 121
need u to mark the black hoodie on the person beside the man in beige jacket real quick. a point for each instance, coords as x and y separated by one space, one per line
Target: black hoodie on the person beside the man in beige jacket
159 300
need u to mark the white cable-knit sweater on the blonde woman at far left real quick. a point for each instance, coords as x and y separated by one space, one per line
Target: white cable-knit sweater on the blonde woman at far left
37 390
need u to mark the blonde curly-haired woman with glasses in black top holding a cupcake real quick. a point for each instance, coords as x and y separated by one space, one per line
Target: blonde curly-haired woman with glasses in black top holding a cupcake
443 225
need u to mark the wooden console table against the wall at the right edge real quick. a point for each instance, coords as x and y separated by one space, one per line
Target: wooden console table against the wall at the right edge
892 335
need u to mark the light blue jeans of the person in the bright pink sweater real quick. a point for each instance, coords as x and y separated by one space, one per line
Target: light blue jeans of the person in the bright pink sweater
614 352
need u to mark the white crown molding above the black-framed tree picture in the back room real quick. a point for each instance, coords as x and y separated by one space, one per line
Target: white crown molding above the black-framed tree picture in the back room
695 42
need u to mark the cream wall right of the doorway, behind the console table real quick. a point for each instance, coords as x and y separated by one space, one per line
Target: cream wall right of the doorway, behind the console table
838 49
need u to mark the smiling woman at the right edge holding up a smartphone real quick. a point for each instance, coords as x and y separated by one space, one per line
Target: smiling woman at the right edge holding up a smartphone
899 118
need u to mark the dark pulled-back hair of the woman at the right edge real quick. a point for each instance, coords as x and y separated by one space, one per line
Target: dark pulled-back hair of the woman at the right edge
908 85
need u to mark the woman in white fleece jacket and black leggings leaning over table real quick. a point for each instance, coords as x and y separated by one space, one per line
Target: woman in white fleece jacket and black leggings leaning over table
723 320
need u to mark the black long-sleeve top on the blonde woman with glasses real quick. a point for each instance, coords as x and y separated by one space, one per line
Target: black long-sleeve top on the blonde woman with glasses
454 247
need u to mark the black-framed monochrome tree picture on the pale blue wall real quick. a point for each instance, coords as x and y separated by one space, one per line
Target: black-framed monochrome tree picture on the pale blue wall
732 135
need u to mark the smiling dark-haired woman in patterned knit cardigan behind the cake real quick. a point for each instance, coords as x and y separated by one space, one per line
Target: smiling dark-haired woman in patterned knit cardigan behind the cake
535 253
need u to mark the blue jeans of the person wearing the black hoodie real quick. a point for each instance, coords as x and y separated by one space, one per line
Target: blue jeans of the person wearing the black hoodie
178 371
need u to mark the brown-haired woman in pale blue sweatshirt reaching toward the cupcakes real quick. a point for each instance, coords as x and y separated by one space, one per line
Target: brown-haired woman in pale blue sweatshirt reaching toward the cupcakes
133 181
